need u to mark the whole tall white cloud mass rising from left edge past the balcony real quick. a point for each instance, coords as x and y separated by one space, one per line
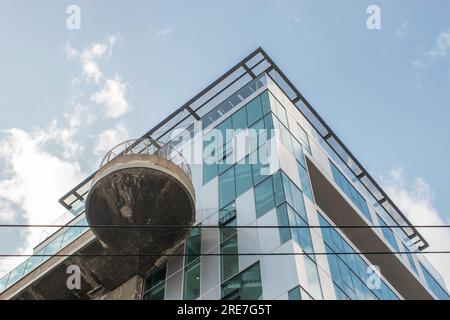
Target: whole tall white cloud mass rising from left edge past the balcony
38 166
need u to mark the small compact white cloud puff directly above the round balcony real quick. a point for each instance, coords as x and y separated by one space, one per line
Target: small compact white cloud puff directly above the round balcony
112 97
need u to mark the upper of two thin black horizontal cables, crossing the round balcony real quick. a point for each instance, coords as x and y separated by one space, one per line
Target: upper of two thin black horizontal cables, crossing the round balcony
168 226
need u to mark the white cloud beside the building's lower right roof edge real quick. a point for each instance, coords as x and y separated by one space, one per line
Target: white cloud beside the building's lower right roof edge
416 202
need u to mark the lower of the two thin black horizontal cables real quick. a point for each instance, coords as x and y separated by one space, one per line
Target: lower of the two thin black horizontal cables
225 254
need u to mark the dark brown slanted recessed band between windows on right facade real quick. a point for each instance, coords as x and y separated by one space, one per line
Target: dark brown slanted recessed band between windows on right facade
365 239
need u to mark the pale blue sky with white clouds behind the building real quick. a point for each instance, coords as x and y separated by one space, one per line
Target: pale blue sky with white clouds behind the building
384 92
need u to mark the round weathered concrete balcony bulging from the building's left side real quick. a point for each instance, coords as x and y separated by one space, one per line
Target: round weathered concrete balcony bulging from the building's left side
141 190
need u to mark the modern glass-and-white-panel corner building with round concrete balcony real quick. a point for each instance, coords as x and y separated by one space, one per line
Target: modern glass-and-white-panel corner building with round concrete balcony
311 223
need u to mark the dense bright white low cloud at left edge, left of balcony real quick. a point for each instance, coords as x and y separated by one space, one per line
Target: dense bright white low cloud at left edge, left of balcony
34 181
